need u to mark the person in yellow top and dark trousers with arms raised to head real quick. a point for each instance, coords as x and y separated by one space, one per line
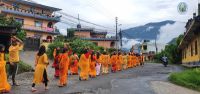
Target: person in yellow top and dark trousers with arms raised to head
16 46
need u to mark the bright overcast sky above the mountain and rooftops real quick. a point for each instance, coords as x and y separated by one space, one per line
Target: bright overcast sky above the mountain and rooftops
130 12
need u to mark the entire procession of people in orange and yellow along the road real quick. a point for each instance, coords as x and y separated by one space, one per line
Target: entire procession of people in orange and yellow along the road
90 65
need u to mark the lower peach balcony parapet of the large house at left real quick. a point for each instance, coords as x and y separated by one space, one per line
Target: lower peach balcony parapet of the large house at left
39 29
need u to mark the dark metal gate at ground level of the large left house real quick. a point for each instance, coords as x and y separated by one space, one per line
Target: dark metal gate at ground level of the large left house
32 44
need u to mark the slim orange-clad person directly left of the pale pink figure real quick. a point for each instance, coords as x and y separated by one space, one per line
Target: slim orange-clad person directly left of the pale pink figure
93 72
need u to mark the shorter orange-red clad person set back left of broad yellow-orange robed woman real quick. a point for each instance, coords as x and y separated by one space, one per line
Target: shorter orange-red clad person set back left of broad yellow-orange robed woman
74 64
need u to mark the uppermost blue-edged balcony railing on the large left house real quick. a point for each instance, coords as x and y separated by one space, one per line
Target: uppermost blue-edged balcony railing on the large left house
23 12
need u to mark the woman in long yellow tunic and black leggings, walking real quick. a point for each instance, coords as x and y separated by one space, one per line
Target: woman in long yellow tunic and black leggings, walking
41 63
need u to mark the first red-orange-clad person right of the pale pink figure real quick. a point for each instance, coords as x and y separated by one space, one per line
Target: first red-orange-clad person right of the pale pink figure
113 61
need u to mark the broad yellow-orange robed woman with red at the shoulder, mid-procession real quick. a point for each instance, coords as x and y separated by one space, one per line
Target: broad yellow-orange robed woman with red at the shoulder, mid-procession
84 65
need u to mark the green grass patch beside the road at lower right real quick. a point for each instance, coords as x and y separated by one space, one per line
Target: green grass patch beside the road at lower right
189 78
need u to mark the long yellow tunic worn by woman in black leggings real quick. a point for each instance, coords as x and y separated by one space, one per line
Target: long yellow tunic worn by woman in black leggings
42 63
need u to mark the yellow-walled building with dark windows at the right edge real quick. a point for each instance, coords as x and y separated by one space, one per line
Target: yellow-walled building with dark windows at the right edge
190 45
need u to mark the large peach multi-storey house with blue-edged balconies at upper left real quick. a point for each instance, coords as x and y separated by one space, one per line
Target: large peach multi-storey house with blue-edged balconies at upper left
38 20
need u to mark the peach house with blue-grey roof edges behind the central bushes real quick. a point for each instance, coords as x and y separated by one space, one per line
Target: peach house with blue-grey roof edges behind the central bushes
97 37
